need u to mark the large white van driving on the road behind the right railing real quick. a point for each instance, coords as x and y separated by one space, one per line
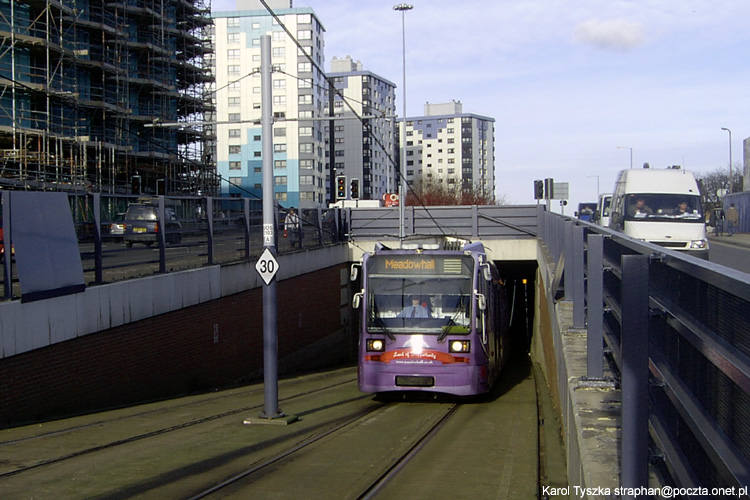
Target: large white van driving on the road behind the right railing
662 207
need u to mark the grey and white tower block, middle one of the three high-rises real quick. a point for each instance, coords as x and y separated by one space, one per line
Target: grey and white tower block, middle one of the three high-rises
364 129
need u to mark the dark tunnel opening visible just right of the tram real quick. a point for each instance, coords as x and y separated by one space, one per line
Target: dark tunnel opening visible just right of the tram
519 276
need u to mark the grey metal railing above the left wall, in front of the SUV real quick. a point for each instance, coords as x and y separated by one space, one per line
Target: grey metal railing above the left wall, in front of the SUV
209 231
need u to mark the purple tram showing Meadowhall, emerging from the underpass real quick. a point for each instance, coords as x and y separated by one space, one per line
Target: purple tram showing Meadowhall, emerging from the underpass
432 320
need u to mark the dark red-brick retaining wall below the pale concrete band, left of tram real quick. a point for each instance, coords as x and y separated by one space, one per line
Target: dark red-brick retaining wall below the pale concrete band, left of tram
212 345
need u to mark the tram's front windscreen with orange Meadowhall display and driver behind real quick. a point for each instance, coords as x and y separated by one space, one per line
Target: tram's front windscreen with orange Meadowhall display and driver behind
424 293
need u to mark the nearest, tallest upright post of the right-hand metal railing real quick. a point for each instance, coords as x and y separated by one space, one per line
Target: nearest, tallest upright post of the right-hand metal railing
634 349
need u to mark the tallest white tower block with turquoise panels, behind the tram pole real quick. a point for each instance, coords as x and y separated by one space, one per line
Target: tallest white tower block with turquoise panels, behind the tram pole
298 100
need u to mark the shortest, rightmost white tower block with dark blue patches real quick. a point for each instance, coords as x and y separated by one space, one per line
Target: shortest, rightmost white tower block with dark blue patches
450 148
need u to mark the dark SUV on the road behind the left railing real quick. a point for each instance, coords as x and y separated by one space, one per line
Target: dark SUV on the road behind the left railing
142 225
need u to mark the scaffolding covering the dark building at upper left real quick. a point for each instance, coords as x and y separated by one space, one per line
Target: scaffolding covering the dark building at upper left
85 86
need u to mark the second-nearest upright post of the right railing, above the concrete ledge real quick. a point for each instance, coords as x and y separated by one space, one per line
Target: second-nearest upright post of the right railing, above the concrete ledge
595 306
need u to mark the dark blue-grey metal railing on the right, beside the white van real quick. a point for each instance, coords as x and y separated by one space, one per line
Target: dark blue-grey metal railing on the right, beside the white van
676 329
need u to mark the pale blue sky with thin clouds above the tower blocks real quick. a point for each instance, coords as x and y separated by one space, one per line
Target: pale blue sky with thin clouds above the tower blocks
567 81
